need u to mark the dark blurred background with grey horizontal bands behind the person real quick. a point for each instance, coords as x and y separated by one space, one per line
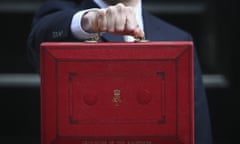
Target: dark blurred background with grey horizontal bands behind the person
212 23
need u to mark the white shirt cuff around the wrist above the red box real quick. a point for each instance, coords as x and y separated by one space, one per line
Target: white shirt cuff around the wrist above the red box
76 27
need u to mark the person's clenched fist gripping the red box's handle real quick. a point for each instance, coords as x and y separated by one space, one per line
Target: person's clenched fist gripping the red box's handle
117 19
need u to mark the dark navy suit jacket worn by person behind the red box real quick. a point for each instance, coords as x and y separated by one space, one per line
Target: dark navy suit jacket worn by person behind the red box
52 23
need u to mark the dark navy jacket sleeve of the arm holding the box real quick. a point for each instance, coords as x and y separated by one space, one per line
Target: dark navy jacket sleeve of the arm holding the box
50 23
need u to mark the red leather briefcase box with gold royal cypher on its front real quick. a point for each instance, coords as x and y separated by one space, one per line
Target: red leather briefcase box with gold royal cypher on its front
117 93
